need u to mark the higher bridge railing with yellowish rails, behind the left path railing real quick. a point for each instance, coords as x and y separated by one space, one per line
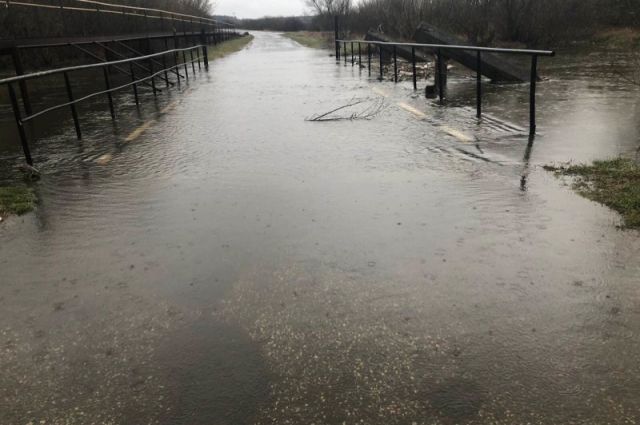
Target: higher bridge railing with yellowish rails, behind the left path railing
163 18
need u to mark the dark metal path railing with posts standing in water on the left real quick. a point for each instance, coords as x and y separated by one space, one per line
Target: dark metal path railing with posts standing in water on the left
149 78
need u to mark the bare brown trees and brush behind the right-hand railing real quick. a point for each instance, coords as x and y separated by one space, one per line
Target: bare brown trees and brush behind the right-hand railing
531 22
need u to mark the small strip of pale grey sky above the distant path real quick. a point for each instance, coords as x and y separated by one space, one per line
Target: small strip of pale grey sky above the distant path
259 8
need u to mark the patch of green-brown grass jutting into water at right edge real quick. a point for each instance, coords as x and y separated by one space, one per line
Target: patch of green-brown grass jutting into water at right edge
614 183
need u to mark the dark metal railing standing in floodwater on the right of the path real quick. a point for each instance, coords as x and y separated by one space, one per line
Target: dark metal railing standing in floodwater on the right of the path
439 49
